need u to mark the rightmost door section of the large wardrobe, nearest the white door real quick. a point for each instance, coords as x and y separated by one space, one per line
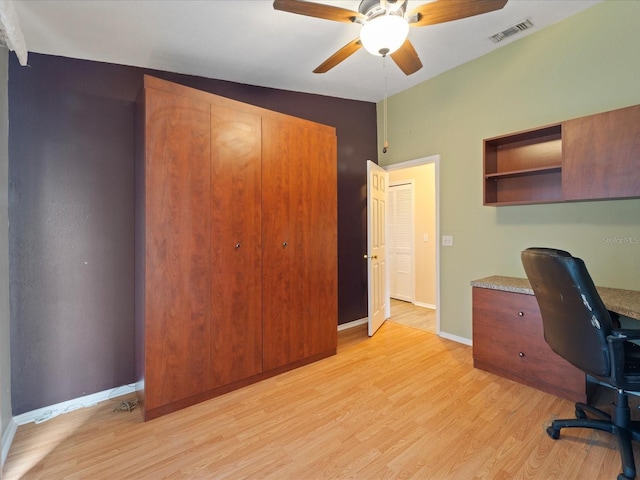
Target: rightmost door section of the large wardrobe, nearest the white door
299 241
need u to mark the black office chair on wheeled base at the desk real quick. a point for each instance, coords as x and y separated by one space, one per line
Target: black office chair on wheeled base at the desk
579 328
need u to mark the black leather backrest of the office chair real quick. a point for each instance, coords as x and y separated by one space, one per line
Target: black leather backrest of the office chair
575 320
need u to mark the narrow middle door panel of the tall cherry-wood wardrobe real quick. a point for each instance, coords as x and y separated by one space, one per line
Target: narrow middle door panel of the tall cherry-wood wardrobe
236 328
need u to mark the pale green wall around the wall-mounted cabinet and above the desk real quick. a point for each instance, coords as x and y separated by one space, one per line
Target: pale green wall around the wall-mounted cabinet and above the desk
586 64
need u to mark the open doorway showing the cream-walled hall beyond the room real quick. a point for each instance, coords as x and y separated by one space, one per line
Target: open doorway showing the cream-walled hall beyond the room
414 228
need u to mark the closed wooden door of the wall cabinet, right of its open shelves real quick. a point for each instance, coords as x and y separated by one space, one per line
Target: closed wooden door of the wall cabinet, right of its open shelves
602 155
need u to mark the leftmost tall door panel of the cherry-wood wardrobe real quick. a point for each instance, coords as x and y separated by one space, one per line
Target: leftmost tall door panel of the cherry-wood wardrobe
177 249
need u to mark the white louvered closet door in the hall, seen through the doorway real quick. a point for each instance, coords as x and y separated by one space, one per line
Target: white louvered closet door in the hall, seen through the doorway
400 245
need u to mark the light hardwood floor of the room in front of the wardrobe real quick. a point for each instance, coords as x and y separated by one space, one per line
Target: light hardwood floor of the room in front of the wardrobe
402 404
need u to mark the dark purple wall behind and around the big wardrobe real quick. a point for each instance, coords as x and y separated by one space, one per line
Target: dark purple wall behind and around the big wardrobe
71 215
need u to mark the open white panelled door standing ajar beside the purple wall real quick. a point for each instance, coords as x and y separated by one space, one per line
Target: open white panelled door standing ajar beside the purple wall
377 191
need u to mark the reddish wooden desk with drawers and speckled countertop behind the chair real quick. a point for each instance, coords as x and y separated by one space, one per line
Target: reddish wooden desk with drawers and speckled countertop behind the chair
508 338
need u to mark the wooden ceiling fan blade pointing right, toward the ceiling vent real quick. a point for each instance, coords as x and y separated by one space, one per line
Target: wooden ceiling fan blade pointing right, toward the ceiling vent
441 11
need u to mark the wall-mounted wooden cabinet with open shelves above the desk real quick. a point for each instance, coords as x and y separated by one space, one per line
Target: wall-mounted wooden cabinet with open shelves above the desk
589 158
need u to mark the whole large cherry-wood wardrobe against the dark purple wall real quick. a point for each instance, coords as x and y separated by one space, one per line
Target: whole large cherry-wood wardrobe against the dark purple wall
236 245
